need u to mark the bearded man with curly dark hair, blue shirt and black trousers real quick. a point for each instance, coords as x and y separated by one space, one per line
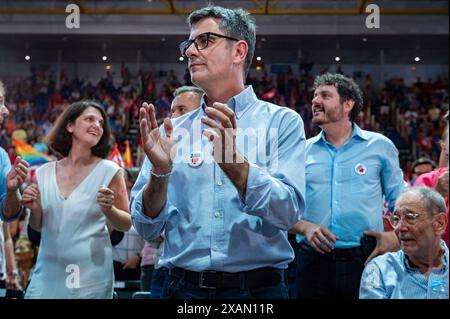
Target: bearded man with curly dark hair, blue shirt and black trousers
348 171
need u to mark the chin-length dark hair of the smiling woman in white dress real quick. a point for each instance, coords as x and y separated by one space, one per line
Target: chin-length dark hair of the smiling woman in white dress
60 140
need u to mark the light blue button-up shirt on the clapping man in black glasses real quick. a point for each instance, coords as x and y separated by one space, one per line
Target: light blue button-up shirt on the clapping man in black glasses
207 224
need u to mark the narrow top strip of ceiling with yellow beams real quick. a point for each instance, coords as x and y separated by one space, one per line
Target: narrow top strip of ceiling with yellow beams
263 7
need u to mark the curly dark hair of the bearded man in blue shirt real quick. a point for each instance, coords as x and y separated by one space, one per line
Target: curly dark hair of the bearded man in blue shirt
347 90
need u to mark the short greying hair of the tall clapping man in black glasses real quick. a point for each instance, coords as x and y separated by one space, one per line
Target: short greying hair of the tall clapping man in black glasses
234 23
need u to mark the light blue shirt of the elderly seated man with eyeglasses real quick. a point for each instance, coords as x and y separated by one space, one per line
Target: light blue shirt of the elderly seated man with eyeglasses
391 276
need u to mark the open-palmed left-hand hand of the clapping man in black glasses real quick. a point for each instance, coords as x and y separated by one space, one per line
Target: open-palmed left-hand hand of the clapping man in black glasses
157 148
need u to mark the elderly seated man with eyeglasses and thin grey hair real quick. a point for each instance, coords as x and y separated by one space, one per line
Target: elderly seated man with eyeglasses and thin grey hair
420 269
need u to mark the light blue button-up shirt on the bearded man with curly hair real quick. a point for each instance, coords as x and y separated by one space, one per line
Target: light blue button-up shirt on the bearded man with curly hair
345 186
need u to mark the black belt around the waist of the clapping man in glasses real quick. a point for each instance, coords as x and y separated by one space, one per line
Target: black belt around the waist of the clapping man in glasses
261 277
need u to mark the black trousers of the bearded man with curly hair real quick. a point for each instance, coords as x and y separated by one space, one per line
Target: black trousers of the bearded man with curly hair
335 275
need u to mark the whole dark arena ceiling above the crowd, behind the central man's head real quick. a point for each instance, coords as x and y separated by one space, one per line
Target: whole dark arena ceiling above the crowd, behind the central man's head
288 30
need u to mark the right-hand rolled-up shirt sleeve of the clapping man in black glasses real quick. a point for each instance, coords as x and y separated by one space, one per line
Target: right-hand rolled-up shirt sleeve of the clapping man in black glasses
276 192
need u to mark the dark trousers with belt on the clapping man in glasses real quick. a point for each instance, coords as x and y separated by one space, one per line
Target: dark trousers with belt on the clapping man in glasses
255 284
